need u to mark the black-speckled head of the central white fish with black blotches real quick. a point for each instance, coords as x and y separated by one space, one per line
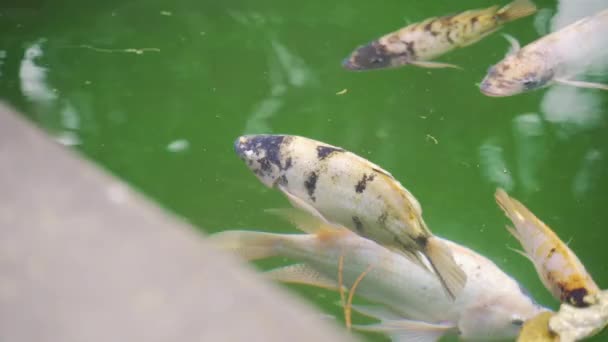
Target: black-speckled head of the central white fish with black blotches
265 155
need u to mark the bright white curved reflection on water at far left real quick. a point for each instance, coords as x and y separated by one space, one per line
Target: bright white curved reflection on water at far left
33 77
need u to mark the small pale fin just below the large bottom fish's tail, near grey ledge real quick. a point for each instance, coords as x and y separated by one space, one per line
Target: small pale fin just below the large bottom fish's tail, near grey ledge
301 274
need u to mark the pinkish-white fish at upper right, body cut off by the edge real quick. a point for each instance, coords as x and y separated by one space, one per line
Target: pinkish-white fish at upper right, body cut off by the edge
556 58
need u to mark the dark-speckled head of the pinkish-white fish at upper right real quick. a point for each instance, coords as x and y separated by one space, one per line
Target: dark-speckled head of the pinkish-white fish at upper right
516 74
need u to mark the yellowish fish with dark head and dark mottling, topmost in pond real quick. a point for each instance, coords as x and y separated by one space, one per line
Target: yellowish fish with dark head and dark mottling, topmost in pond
419 43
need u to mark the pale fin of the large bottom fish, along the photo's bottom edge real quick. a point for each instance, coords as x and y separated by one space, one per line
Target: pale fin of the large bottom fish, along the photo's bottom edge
408 330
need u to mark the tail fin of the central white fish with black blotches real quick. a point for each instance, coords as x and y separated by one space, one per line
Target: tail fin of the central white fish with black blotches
451 276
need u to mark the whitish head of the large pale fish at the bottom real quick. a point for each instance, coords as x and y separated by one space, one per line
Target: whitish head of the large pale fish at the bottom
499 318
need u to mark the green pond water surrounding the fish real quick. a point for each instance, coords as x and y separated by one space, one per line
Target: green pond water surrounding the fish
157 91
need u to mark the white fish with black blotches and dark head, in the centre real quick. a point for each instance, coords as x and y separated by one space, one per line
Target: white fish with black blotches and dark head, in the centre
340 187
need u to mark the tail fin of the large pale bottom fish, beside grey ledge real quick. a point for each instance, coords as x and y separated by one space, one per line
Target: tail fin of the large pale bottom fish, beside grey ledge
249 245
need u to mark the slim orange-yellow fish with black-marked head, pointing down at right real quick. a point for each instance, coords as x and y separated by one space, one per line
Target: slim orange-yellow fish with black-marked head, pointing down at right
559 269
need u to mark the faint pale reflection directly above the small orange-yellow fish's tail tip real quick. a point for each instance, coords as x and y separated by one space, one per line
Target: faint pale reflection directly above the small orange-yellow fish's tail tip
493 165
